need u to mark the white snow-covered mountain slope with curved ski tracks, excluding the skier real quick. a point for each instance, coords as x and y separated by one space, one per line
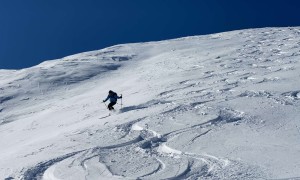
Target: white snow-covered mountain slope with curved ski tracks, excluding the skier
221 106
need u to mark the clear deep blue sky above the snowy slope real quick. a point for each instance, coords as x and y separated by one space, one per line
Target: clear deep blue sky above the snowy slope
32 31
